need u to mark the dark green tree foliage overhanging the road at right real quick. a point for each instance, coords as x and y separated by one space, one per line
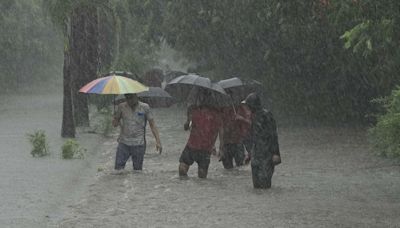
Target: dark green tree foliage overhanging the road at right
298 49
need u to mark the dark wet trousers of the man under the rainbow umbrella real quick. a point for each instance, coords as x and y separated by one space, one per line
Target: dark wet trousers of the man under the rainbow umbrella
125 151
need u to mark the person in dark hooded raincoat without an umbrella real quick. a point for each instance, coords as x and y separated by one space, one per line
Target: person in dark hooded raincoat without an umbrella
263 140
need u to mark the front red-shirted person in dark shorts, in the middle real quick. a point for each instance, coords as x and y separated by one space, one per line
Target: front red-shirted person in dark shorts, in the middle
206 124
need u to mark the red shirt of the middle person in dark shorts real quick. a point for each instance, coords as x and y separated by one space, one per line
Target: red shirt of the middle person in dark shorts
205 127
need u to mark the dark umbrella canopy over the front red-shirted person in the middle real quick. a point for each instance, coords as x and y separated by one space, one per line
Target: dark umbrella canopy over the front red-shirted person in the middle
196 89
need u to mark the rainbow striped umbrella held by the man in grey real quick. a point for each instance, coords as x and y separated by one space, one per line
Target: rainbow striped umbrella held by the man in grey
113 84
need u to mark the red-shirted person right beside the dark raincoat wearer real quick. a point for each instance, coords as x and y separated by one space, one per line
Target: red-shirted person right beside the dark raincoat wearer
236 125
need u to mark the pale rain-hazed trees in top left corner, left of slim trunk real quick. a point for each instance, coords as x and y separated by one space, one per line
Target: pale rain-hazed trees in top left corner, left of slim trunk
31 50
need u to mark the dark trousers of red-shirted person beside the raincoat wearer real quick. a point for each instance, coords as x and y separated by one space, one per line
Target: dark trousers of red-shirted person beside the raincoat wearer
234 151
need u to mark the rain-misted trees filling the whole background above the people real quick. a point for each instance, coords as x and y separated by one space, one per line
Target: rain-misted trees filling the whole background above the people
325 60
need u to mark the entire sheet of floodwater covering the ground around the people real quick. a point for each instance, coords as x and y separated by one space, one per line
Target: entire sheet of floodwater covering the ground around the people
328 178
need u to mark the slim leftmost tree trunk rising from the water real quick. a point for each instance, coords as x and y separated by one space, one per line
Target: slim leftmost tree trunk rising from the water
68 124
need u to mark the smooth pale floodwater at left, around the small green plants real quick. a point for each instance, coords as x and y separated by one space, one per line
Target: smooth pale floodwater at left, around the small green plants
34 190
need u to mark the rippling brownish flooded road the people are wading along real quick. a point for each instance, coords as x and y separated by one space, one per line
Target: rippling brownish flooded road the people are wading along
328 178
